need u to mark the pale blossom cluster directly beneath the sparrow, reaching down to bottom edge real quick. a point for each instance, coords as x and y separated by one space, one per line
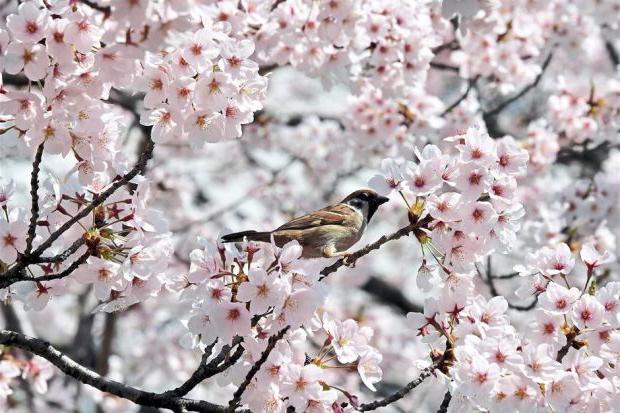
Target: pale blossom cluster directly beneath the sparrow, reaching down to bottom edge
253 293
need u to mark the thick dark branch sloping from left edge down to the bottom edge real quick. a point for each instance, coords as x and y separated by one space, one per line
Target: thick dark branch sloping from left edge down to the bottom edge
87 376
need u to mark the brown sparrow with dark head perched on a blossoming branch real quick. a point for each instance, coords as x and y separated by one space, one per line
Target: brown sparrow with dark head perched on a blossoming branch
327 232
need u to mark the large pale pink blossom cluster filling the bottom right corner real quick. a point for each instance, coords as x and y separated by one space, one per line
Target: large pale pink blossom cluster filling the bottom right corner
566 359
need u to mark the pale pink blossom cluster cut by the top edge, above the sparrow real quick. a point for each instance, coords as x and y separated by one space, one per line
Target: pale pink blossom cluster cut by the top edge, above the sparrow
330 39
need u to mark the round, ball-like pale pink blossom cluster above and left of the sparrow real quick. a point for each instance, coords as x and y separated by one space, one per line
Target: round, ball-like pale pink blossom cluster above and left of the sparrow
202 90
